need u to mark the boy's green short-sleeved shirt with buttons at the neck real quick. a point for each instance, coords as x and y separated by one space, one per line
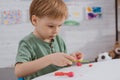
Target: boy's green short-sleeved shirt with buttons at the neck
31 48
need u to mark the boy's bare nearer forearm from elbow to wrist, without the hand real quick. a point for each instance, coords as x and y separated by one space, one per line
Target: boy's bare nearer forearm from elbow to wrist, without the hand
27 68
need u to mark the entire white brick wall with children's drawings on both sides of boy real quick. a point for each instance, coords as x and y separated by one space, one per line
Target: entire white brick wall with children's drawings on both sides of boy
90 28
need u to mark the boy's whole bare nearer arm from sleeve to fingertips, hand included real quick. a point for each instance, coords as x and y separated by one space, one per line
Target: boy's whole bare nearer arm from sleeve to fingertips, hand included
27 68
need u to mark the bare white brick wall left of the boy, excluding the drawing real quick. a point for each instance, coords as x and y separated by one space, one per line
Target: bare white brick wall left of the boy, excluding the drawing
11 33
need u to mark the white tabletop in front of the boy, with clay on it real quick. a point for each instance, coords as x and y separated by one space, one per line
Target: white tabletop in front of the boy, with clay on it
105 70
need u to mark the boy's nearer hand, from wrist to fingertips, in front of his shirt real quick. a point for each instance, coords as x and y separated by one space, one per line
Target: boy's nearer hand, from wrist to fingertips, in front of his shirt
61 59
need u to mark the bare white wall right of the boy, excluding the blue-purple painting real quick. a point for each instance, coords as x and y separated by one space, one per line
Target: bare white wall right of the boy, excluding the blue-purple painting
92 36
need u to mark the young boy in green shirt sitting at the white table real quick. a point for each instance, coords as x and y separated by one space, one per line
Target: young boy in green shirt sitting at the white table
43 51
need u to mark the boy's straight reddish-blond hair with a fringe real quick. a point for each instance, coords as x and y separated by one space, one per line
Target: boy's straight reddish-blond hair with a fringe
55 9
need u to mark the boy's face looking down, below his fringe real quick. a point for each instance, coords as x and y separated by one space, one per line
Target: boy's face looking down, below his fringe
47 28
